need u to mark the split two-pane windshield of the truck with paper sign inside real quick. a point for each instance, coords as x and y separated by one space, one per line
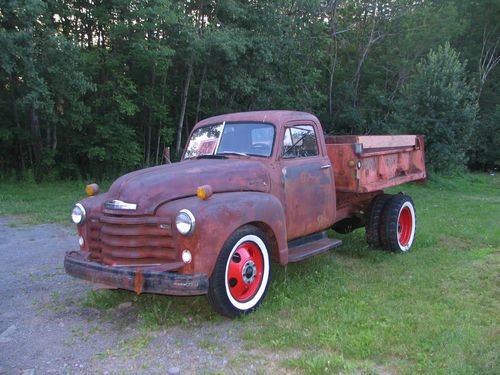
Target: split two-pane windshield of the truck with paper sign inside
247 139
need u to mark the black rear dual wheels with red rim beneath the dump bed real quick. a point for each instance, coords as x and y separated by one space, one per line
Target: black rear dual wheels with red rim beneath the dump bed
392 223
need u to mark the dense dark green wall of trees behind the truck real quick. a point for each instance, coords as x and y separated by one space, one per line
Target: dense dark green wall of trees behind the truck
95 87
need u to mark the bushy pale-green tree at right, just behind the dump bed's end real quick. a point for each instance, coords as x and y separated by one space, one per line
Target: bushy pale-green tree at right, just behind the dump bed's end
439 103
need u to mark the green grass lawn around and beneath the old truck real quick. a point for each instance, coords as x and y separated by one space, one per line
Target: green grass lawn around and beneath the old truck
355 309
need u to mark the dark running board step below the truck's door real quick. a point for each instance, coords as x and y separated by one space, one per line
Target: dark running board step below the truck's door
311 245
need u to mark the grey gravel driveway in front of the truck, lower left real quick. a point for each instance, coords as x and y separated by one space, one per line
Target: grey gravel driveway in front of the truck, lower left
45 327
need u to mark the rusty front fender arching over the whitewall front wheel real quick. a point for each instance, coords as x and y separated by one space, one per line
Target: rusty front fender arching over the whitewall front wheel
218 217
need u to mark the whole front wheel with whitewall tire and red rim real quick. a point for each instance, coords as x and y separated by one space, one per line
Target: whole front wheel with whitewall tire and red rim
241 275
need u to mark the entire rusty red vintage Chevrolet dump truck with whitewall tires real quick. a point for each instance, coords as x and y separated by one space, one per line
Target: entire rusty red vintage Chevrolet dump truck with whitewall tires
251 189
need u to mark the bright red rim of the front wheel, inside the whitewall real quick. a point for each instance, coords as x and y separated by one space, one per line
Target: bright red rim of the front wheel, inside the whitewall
245 271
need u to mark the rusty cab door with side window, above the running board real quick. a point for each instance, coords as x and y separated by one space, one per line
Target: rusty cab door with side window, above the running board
307 176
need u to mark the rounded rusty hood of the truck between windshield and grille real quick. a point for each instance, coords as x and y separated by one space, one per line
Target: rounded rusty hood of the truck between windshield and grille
151 187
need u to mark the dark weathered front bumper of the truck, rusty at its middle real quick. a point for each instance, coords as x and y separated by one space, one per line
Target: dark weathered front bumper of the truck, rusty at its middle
135 279
